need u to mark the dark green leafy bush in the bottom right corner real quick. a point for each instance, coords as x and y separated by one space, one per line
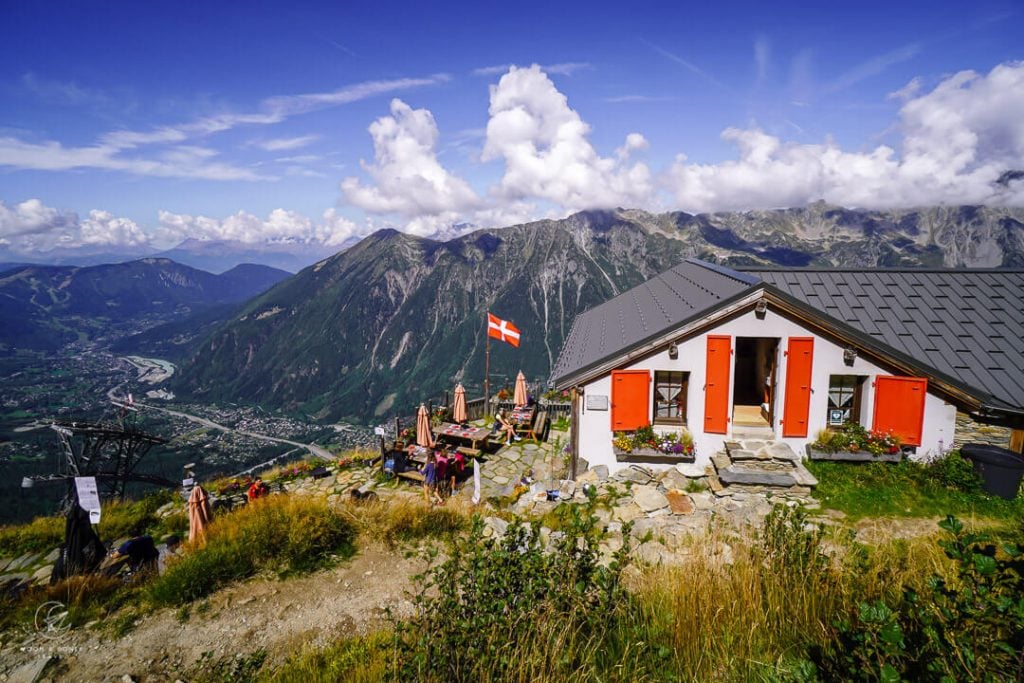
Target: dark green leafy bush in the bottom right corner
970 628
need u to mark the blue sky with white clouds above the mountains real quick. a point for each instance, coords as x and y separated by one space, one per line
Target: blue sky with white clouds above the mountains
137 124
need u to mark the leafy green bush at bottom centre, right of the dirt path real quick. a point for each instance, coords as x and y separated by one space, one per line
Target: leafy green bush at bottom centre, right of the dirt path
511 609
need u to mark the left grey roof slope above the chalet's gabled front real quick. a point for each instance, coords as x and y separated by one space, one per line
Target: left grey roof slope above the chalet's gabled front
666 302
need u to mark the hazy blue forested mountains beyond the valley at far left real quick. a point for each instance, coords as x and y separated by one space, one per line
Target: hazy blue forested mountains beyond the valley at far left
48 308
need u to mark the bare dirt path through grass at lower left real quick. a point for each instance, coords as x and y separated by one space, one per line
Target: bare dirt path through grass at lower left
280 617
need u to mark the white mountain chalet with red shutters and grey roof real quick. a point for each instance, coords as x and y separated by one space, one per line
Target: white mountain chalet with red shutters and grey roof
780 355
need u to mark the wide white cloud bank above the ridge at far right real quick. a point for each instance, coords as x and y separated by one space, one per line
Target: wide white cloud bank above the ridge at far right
958 141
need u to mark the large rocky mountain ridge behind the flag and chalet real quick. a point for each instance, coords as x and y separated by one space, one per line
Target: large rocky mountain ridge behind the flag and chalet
397 319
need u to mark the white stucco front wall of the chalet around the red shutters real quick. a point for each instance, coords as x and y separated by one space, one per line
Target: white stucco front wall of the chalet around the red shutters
595 426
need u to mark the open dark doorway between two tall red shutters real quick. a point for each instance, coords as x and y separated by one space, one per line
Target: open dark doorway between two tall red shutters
754 382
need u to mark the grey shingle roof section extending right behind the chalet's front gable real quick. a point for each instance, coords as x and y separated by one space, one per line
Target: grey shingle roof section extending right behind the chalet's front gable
965 324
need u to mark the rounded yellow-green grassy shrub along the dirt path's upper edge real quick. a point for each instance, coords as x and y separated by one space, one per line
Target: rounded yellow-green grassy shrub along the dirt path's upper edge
283 534
